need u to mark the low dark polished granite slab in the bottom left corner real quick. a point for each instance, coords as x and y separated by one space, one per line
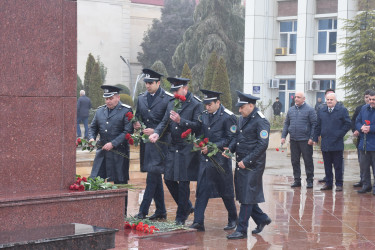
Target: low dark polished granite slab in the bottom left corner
67 236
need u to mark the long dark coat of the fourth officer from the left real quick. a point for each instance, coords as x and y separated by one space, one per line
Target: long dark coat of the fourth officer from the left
220 130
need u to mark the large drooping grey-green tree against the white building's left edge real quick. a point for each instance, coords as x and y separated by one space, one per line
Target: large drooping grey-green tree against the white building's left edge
219 25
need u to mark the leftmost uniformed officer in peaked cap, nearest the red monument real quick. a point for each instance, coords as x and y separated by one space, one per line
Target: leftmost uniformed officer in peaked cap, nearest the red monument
112 125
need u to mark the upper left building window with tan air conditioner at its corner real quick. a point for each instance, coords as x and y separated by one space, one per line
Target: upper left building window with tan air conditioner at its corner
288 36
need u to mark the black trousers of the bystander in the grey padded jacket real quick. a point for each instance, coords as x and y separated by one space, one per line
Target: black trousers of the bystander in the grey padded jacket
297 148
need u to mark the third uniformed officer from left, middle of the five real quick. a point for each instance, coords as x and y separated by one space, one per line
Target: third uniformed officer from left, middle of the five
181 164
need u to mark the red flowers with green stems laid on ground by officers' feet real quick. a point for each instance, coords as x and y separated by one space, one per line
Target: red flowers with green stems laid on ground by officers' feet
148 226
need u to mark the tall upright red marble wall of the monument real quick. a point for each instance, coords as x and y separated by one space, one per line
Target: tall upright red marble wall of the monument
38 51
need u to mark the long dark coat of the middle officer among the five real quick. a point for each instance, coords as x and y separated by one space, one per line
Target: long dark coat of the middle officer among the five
181 164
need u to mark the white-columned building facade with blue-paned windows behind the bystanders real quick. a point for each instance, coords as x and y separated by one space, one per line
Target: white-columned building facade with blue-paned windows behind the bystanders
291 45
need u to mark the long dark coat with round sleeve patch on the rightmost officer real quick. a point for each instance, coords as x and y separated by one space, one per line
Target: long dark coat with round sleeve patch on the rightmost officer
250 146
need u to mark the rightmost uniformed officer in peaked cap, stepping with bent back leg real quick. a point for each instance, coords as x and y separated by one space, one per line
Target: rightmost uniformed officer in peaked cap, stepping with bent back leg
250 146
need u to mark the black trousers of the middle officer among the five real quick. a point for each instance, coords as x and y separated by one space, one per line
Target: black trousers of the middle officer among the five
180 191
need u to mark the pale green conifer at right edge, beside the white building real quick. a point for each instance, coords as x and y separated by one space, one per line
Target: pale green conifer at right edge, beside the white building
358 58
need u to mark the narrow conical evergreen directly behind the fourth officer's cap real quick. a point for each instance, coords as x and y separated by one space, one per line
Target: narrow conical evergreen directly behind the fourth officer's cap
221 84
